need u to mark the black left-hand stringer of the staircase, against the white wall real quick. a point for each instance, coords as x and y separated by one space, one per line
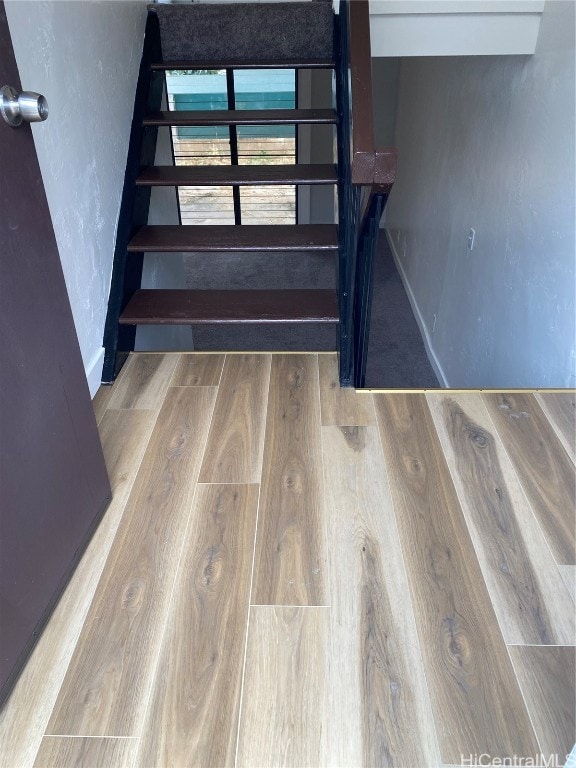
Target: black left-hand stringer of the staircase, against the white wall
127 272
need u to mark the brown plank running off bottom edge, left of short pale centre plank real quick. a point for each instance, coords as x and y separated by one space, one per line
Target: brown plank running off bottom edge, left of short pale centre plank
193 712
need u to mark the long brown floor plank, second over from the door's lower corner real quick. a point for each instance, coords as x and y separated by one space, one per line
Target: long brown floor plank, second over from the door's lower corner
107 682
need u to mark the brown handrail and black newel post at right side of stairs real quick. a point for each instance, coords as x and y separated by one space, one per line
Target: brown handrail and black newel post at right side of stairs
362 167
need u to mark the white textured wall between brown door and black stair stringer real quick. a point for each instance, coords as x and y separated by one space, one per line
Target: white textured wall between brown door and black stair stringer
84 57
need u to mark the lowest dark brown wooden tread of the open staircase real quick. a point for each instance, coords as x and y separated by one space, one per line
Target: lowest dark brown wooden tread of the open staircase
186 307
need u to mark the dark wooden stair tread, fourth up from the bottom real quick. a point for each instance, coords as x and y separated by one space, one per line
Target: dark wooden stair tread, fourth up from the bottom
242 117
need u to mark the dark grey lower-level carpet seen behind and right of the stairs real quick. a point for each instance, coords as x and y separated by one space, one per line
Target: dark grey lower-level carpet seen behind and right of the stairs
396 355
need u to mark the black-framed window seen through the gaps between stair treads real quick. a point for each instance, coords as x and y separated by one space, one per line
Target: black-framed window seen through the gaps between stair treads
245 145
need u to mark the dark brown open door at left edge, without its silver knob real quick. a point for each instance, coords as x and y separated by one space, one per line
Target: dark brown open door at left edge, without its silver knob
53 481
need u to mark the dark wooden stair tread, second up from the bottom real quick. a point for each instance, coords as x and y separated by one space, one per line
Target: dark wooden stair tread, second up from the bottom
274 237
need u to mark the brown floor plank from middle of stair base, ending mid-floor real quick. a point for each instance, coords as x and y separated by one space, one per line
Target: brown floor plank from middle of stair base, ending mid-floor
290 546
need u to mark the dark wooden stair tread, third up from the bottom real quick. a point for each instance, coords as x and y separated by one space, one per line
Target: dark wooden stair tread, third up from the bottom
236 175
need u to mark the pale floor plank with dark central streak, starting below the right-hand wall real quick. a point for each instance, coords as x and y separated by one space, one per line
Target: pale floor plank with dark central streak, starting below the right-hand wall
523 581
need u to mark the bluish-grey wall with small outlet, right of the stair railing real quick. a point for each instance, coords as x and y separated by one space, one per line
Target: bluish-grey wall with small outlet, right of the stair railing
488 143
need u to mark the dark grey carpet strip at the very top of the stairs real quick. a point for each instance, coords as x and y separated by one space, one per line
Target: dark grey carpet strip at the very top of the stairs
246 31
